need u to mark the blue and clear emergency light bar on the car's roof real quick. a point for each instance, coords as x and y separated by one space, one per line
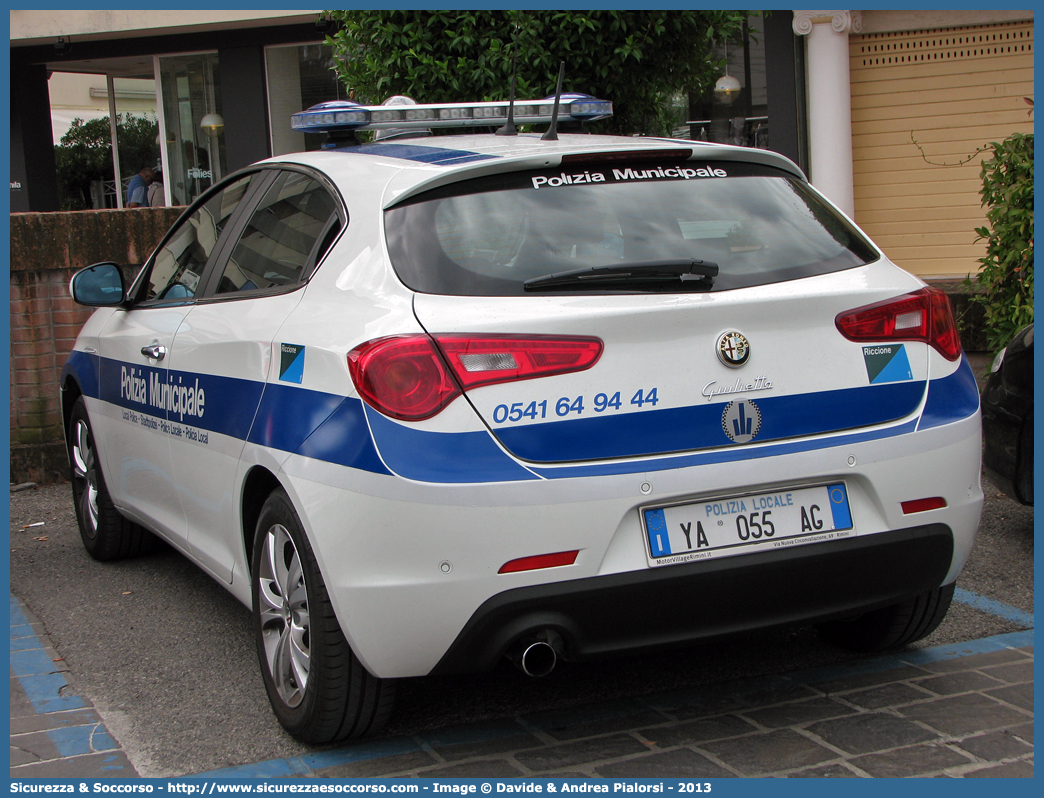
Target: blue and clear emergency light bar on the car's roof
342 115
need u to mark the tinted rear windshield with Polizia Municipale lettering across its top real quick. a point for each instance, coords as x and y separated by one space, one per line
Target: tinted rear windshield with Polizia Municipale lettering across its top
488 237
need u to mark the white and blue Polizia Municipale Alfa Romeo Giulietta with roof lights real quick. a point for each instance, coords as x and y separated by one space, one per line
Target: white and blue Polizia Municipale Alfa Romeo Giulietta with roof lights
426 404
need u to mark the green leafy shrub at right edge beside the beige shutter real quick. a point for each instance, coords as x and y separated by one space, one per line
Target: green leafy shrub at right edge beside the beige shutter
1006 283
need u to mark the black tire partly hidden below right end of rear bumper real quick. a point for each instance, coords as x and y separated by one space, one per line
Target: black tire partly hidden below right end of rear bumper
892 627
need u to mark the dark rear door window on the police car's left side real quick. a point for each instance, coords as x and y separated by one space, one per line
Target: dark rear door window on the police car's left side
288 234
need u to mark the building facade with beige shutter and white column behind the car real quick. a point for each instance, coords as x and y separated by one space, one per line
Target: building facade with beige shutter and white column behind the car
886 111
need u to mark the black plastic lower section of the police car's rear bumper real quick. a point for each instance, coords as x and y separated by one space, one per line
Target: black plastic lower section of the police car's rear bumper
618 613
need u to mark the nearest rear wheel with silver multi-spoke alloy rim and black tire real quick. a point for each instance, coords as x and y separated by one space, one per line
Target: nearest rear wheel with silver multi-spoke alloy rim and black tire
319 690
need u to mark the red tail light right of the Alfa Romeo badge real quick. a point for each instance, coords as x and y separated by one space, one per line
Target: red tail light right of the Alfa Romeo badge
924 316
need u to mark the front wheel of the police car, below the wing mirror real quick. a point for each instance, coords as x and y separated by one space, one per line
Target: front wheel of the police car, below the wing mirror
107 535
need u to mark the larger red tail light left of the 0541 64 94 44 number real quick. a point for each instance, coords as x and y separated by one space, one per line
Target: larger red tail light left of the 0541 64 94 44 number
414 378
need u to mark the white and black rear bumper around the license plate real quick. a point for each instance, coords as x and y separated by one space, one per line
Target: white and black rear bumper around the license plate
413 568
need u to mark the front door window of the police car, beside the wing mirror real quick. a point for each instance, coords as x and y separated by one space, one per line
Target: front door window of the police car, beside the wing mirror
179 264
